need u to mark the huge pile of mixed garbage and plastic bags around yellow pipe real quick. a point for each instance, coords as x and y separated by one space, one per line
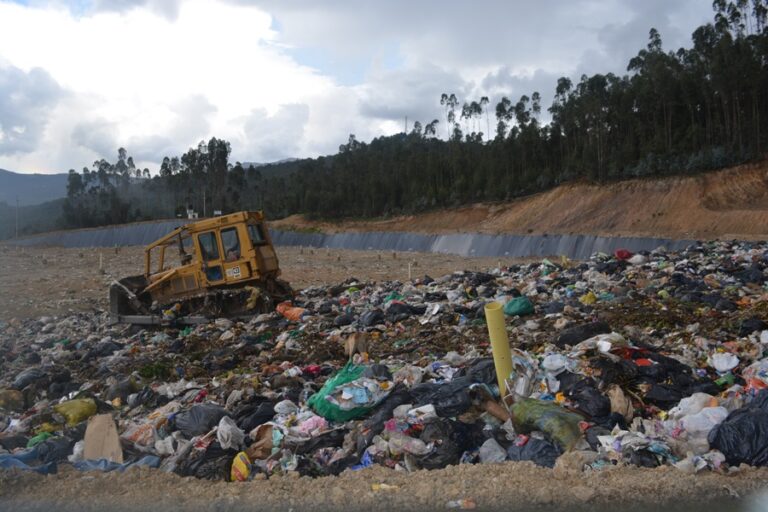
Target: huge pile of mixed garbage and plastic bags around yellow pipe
642 359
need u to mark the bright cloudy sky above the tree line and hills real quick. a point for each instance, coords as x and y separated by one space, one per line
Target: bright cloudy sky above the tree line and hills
288 78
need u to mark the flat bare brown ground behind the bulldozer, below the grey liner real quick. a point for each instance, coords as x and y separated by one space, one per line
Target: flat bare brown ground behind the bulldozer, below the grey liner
50 281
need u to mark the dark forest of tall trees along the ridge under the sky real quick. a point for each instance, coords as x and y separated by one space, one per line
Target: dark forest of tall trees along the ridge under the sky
672 112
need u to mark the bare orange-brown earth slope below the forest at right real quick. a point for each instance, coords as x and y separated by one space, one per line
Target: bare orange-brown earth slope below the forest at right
731 203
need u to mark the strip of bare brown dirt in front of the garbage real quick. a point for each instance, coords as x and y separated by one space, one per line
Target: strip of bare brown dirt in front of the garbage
508 486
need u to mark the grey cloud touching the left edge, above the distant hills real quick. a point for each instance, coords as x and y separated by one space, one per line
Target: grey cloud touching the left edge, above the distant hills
26 101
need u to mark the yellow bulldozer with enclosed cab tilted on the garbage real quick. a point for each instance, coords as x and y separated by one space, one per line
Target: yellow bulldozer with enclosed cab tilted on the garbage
226 266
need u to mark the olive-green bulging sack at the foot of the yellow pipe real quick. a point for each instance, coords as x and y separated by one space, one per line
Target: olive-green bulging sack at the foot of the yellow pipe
560 425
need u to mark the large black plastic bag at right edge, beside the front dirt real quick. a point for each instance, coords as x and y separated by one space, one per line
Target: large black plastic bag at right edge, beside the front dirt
743 436
